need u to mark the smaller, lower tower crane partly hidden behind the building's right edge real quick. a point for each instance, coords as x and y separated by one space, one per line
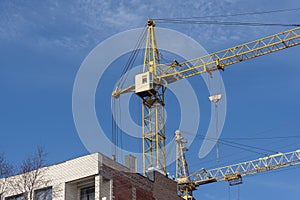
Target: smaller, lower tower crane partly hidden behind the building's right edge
187 183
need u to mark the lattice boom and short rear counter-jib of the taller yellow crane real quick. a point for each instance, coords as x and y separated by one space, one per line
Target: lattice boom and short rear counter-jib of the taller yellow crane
171 72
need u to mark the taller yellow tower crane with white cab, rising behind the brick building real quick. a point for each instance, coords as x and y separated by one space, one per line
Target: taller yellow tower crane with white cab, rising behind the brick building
150 85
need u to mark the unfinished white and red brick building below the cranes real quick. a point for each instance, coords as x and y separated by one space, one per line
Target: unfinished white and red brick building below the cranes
92 177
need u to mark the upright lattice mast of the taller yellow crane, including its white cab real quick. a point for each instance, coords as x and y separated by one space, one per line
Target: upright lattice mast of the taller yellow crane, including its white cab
152 94
